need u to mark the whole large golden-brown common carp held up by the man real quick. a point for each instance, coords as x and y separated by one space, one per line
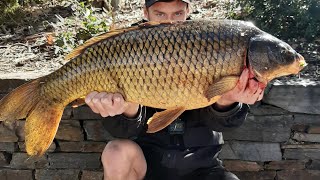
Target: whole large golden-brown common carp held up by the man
175 66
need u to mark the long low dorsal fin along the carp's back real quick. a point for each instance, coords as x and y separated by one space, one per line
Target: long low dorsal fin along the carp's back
77 51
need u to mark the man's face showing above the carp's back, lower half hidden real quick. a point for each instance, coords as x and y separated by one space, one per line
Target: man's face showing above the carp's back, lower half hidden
172 11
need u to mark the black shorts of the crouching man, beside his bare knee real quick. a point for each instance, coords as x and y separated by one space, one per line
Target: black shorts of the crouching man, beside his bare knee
175 165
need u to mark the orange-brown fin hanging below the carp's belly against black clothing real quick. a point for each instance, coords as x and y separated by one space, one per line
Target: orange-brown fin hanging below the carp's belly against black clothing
162 119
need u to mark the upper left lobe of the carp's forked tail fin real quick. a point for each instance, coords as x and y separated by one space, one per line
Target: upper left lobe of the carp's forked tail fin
18 103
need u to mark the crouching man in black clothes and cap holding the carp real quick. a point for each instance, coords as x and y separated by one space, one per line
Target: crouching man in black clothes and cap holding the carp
186 149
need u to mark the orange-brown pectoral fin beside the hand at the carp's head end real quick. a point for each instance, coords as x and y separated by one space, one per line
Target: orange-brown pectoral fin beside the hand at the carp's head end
223 85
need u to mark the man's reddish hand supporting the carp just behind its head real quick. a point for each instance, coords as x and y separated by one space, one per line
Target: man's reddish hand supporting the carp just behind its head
247 91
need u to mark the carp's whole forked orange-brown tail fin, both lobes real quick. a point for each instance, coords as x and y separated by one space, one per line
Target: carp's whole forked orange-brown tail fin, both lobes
43 116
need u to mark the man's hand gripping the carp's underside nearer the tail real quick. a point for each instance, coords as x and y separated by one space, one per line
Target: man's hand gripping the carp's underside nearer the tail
109 104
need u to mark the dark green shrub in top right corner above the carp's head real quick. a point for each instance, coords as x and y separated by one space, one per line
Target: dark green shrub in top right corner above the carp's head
284 18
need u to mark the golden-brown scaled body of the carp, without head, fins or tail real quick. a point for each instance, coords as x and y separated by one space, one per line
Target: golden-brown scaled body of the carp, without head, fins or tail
163 66
